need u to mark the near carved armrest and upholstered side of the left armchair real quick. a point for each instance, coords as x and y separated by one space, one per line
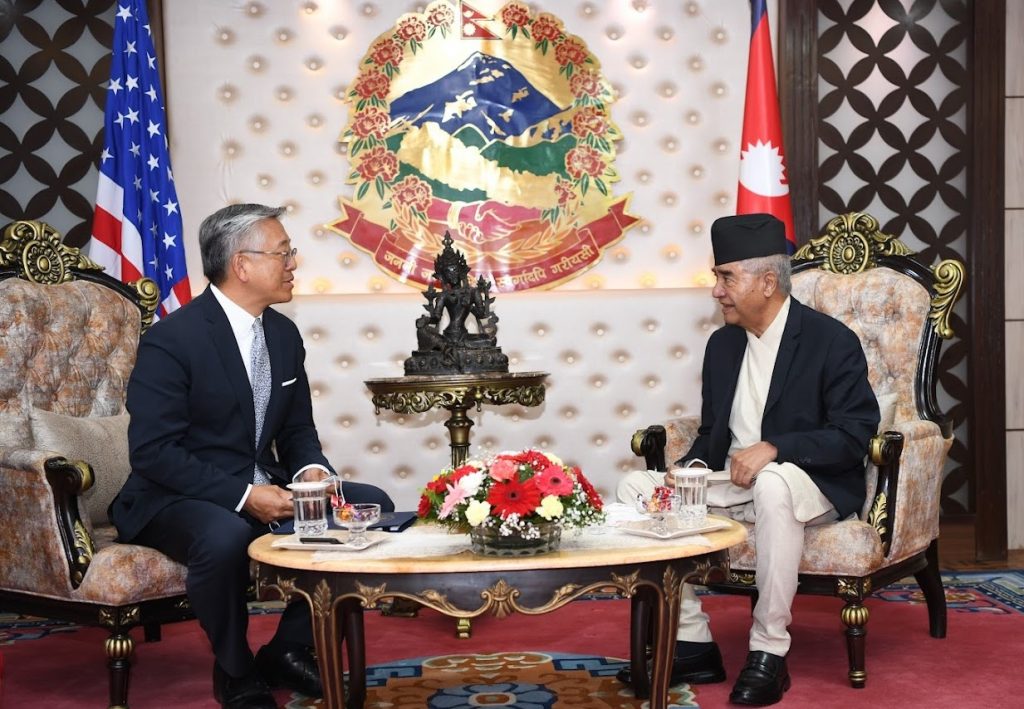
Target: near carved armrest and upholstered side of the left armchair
46 547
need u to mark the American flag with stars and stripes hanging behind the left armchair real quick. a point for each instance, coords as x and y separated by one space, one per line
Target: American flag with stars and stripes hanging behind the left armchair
137 229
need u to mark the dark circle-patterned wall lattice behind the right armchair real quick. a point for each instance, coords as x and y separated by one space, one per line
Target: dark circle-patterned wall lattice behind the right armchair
892 110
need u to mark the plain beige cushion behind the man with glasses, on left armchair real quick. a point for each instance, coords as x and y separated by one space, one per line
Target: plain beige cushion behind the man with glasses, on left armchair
100 441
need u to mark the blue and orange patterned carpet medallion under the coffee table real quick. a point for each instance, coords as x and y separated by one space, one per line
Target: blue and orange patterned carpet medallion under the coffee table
520 681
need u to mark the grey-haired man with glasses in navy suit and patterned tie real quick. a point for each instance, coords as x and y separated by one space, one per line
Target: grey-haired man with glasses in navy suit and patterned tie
222 420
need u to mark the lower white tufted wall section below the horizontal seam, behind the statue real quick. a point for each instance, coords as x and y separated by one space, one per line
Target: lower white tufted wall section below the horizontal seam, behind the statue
618 361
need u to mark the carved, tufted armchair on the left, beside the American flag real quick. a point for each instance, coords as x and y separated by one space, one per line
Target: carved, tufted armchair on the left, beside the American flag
68 340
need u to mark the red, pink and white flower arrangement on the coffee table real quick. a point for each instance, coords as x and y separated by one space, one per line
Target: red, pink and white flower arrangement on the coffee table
513 504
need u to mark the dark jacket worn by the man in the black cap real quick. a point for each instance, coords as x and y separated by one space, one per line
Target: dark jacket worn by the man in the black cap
821 412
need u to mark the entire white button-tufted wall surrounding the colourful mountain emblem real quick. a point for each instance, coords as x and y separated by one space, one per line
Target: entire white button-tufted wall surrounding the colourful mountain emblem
253 90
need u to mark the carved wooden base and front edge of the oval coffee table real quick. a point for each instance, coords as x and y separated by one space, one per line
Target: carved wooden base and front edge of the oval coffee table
464 587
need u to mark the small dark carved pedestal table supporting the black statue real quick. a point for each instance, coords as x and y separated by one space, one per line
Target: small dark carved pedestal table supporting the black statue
457 394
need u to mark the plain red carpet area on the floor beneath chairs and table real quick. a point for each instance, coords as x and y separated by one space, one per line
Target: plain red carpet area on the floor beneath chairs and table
976 666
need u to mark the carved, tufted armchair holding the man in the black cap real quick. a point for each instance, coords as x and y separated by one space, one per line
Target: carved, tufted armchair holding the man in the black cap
901 310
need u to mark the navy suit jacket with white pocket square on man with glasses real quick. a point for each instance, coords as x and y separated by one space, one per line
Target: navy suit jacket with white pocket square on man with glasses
193 425
